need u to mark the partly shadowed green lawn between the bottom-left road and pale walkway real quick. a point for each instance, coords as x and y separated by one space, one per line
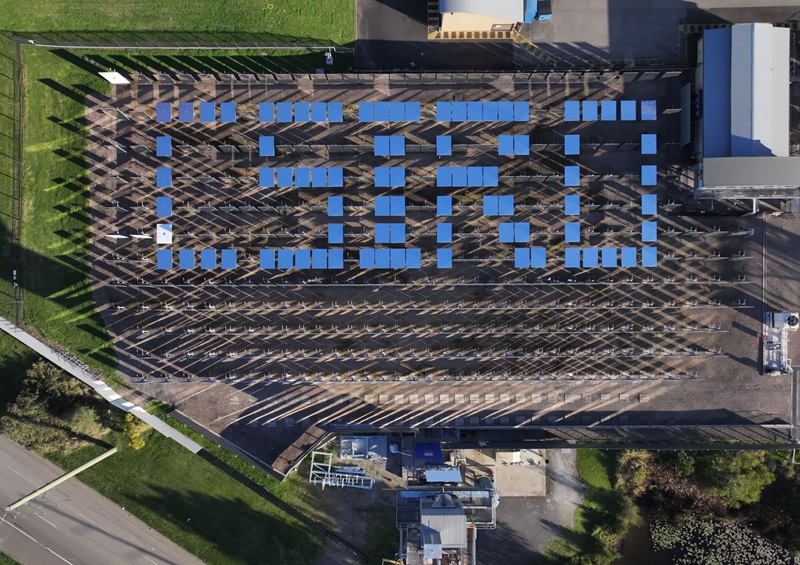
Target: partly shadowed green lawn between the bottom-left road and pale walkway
195 504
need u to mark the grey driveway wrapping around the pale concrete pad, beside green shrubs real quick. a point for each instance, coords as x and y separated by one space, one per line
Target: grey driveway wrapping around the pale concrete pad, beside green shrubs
526 525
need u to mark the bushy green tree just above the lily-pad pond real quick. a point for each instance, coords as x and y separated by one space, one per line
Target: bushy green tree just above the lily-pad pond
736 476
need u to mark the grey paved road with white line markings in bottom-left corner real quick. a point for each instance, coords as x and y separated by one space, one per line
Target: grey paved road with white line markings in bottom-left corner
72 524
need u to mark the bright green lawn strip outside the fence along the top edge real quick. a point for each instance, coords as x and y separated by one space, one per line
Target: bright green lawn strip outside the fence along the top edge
332 20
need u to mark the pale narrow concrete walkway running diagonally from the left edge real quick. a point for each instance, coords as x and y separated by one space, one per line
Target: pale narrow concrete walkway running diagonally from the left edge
80 371
